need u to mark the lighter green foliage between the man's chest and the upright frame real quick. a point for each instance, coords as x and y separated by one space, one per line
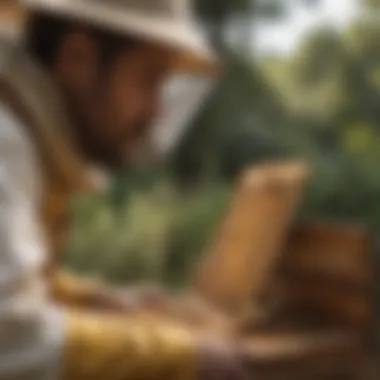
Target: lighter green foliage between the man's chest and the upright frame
153 235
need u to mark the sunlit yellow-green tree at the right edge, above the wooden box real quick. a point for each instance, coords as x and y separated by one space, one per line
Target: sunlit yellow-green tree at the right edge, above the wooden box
331 92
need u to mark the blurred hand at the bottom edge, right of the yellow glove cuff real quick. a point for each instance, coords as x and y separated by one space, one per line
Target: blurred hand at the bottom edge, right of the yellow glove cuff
220 361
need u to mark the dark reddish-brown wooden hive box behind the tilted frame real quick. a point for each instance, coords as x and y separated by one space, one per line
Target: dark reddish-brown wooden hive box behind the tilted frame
328 270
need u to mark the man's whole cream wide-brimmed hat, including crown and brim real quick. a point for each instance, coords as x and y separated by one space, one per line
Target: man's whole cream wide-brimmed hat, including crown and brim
166 22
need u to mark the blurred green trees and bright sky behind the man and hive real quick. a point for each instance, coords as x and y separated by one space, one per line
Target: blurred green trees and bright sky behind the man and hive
301 79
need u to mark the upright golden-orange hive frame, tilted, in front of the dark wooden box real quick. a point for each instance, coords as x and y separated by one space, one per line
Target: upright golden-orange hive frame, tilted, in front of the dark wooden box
247 246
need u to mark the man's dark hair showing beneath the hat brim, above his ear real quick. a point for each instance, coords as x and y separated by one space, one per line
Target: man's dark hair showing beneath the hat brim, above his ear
46 32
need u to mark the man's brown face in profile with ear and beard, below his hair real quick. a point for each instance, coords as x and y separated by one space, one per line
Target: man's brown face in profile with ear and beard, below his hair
113 105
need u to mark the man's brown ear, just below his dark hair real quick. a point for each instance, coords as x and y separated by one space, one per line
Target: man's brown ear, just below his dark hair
77 61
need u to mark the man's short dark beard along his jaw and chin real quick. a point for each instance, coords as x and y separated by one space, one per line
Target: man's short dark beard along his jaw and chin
104 143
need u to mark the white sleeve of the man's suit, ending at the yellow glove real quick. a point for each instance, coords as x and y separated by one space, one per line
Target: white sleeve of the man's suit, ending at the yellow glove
31 327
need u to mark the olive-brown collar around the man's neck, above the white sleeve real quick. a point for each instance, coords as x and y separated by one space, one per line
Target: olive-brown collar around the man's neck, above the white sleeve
42 101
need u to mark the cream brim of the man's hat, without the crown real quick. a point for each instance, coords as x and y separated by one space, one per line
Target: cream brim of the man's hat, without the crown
194 54
